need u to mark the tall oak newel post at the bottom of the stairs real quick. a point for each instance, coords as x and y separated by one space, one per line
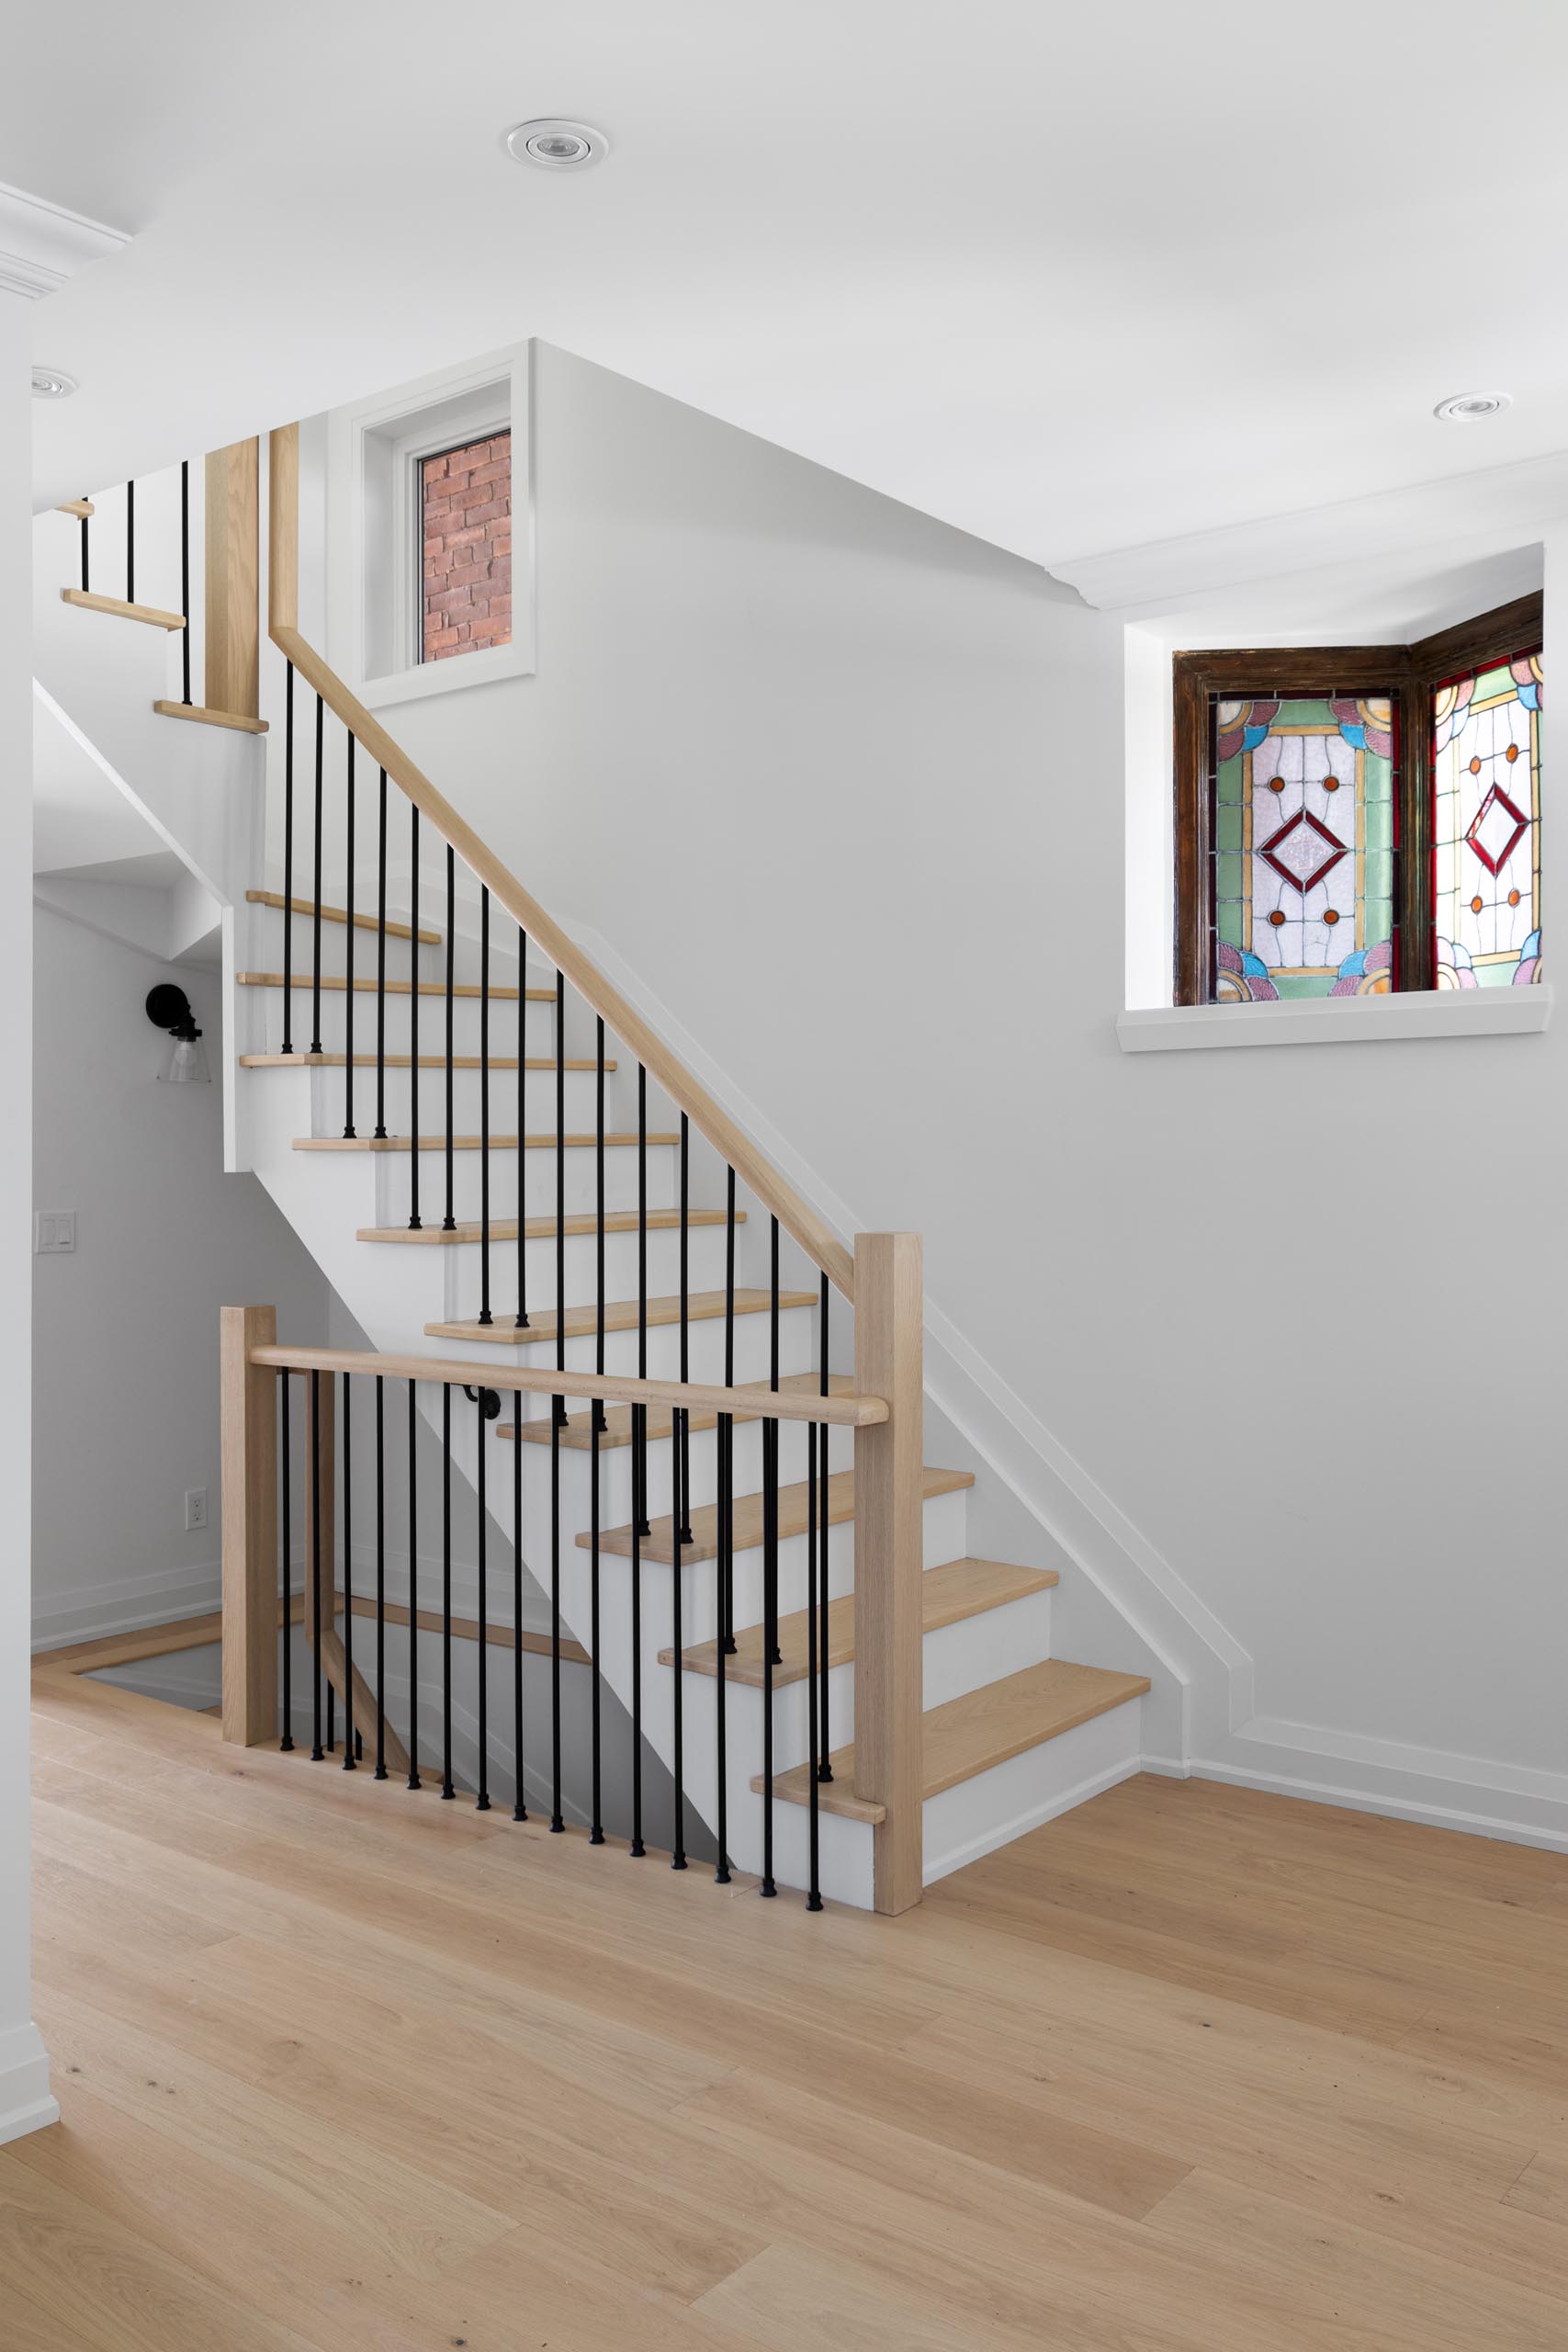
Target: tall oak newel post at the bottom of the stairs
890 1561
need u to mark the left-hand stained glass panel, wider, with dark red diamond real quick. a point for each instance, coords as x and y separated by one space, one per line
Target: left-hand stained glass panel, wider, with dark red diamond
1304 848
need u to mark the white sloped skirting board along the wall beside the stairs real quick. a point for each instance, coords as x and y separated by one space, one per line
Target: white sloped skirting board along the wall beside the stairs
1202 1676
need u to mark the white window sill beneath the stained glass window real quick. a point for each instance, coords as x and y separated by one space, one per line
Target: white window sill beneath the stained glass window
1435 1013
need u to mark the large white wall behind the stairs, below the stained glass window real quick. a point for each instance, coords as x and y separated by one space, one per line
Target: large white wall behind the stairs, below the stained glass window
845 789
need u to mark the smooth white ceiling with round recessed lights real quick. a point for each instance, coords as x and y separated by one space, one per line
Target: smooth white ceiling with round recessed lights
1073 279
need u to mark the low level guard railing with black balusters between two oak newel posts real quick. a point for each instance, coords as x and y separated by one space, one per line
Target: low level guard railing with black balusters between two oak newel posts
276 1474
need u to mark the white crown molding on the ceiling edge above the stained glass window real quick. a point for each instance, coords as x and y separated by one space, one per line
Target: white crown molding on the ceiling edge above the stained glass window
1499 502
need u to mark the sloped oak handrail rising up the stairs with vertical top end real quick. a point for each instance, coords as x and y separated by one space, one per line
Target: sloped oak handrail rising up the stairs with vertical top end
753 1170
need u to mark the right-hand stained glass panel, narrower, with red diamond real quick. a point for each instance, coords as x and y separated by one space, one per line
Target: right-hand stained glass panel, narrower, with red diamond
1487 827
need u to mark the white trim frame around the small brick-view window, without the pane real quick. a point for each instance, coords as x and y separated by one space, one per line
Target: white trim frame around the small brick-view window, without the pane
375 535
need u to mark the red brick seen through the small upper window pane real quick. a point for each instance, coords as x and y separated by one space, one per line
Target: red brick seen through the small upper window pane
467 500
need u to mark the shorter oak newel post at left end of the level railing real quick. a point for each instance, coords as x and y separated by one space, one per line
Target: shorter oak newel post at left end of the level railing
250 1528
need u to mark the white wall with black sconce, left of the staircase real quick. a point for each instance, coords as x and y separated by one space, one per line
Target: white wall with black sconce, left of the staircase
126 1339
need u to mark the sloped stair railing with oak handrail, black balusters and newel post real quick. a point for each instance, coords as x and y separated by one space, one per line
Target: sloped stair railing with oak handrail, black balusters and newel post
880 1278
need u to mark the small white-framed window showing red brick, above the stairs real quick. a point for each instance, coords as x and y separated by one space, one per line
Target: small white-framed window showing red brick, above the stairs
431 535
